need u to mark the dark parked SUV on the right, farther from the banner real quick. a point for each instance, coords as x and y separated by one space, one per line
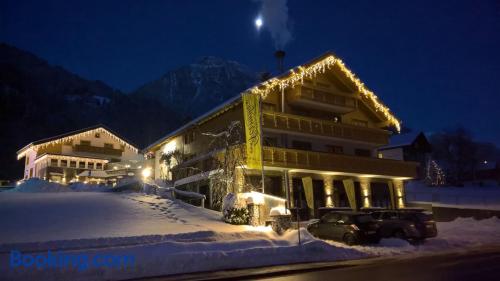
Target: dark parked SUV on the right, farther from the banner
410 225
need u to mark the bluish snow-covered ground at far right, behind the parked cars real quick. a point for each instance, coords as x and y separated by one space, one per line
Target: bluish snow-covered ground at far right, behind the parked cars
469 196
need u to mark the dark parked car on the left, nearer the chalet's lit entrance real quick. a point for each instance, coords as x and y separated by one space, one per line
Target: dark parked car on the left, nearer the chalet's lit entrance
348 227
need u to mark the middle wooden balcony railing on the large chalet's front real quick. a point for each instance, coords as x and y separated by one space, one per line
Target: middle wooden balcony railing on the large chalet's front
301 124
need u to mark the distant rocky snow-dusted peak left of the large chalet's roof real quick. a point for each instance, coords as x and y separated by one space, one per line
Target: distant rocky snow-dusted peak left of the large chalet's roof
196 88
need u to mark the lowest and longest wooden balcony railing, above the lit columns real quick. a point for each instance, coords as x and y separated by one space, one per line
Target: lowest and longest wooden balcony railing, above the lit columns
300 159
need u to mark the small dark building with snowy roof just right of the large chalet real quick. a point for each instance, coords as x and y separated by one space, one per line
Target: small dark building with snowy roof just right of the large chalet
408 147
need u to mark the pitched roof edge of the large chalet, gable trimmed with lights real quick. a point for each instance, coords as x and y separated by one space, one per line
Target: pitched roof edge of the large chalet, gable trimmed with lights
292 78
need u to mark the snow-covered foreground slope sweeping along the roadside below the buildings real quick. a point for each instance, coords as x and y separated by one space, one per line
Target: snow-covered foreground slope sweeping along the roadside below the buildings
170 237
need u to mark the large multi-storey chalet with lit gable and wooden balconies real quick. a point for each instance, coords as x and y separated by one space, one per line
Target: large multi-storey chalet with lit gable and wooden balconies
324 125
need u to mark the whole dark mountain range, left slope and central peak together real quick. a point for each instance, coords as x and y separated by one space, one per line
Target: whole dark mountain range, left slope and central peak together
38 100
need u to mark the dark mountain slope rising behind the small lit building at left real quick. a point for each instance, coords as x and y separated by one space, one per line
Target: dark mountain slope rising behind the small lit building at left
38 100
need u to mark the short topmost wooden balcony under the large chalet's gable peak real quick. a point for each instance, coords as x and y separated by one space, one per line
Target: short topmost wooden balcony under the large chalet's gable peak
322 99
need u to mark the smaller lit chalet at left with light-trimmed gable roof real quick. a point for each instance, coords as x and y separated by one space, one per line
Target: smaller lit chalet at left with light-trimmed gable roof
94 155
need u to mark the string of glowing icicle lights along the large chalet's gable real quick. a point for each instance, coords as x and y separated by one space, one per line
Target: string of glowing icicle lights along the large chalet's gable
296 77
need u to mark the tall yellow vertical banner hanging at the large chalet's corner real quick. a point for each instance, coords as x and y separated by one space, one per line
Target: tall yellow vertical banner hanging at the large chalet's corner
251 113
